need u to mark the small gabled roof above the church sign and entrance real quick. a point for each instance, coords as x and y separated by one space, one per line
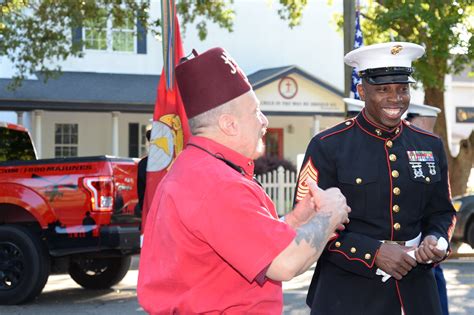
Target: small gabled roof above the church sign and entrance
265 76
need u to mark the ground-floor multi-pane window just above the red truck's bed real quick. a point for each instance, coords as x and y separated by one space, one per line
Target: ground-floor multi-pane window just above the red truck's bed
65 140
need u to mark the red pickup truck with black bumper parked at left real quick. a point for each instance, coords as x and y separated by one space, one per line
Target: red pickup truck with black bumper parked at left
63 215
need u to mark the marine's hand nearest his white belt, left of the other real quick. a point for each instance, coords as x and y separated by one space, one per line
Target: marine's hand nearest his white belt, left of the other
394 260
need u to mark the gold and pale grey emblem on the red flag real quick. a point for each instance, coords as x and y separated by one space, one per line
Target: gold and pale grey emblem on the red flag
165 143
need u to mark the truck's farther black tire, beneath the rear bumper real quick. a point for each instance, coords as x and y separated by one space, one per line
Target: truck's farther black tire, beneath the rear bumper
99 273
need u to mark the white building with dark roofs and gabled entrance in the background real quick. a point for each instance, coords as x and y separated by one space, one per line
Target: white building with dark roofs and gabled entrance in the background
104 101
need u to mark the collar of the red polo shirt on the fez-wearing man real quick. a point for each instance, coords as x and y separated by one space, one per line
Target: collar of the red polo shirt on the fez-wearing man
225 152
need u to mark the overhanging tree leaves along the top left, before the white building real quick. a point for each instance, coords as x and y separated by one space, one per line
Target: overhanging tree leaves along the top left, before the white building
36 35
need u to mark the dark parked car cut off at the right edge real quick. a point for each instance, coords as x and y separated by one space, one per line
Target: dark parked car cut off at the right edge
464 231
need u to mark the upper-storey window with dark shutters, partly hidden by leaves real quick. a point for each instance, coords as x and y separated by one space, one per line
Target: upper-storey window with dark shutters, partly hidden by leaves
110 34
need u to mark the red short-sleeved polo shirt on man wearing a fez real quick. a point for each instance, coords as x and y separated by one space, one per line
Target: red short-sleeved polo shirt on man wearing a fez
210 231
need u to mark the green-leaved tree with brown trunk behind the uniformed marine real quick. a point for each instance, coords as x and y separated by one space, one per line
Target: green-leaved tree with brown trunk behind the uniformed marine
445 29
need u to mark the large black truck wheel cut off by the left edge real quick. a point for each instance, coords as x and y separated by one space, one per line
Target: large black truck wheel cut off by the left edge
24 265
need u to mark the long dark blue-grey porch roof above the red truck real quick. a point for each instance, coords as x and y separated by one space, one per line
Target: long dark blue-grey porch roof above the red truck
83 91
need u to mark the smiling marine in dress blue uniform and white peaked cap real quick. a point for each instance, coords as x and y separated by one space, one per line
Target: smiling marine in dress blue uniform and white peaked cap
395 180
